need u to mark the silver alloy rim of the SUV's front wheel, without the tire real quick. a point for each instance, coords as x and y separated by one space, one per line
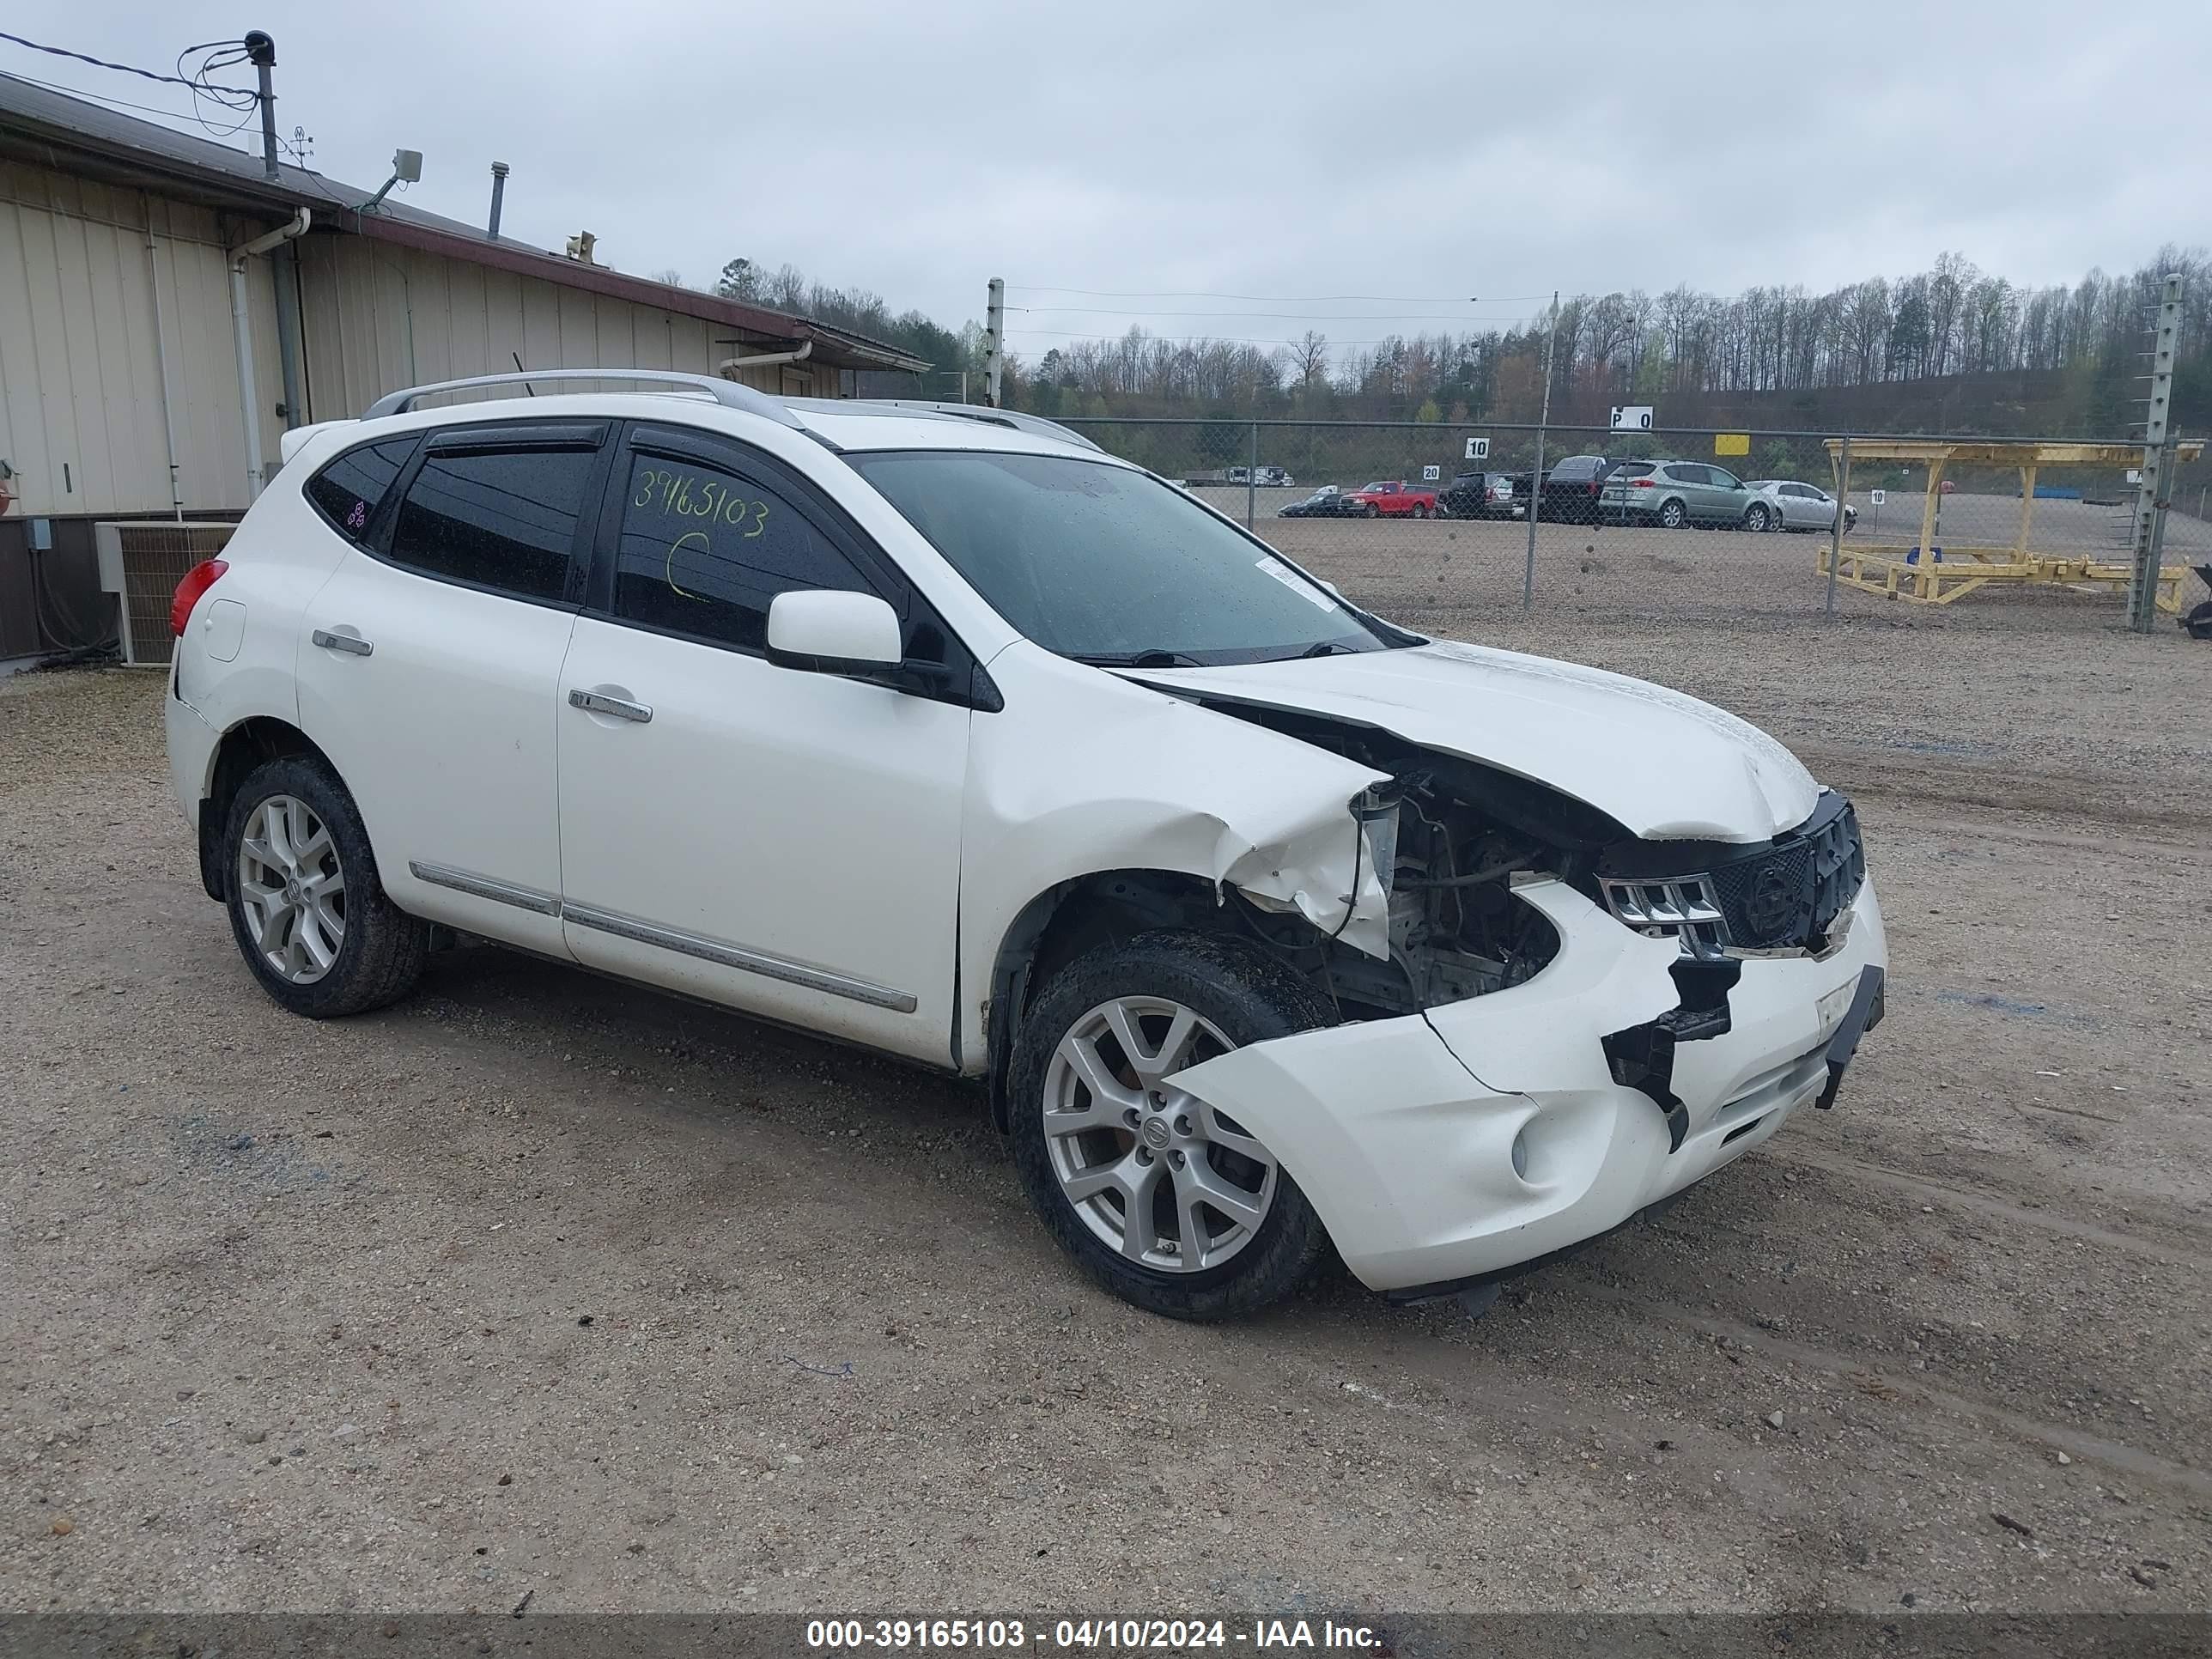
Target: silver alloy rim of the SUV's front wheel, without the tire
1158 1176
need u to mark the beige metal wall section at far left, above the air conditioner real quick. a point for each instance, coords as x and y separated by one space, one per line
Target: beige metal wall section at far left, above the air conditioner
81 368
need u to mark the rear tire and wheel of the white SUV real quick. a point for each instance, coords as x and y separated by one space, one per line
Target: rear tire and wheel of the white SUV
306 906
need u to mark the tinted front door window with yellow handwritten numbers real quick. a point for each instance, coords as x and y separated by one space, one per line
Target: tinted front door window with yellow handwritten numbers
705 550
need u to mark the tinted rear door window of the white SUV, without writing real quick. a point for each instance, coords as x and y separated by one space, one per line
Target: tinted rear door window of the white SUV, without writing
501 521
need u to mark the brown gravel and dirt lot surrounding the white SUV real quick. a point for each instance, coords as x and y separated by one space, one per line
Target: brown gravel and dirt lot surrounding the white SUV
541 1286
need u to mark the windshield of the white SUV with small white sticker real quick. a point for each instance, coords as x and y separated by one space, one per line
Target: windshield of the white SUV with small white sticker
1109 565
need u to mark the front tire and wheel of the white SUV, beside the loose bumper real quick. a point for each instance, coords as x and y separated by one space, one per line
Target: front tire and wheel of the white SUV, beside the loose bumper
1158 1196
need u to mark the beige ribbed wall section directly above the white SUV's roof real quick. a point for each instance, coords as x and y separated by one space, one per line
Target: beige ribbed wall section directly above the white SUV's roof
384 317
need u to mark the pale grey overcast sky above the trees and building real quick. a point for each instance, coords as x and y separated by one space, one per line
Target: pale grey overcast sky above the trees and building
1426 154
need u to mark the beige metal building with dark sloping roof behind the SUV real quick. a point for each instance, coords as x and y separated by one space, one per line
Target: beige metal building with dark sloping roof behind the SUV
149 275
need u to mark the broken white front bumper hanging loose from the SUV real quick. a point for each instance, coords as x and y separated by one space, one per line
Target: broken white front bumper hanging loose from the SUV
1490 1134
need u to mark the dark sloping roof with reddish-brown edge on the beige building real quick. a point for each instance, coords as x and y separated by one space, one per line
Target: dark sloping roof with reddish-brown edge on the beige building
76 136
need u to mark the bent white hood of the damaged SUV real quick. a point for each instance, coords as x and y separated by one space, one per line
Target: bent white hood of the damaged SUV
1662 764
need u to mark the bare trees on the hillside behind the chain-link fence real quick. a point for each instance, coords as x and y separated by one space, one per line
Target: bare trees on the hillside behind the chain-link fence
1976 351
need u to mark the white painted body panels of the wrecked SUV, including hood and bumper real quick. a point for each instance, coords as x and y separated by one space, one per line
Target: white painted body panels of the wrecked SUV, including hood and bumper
893 839
